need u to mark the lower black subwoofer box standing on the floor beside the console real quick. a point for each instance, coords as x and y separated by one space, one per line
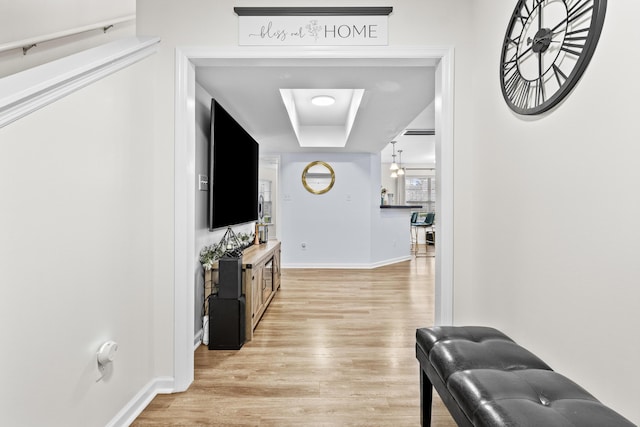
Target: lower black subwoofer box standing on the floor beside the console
226 323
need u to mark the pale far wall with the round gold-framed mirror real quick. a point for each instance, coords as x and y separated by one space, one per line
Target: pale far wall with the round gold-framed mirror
337 226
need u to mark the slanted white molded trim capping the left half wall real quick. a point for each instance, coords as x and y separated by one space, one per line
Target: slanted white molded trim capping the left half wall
27 91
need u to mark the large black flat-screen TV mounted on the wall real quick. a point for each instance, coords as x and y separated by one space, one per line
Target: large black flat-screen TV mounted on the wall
233 163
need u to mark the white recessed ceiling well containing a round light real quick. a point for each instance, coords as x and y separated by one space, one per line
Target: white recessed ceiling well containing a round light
328 126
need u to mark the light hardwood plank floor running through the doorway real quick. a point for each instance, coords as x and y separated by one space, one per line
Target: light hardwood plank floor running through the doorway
335 348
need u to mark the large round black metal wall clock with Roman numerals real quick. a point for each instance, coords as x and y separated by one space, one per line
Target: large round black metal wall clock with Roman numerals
546 49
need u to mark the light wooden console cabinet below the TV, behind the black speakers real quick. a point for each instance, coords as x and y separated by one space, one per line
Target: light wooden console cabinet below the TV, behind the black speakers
260 281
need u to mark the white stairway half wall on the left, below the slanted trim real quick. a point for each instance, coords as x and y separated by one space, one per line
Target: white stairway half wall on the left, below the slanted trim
76 253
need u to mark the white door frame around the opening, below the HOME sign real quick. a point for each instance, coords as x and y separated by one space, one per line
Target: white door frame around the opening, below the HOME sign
185 179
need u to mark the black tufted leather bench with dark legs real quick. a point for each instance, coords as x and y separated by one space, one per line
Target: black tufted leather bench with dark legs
486 379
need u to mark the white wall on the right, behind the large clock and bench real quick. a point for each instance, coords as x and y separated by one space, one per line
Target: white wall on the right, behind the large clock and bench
555 214
